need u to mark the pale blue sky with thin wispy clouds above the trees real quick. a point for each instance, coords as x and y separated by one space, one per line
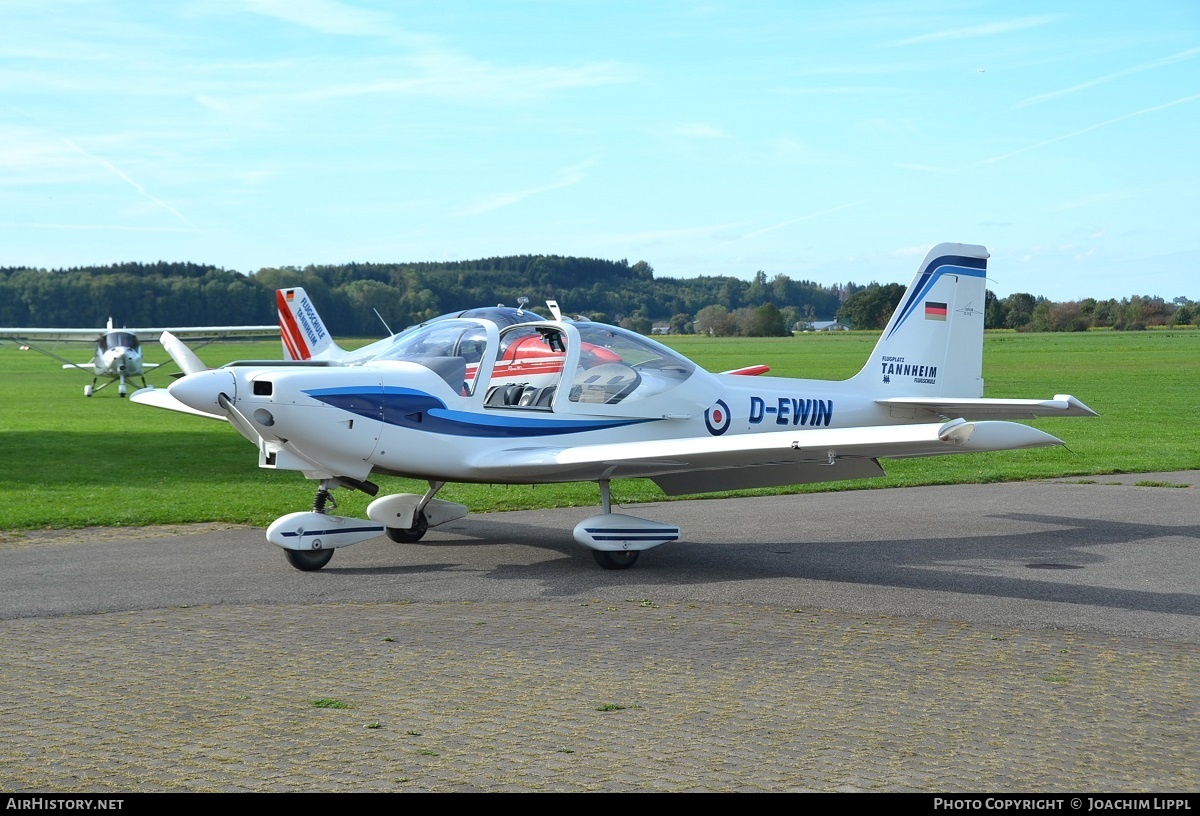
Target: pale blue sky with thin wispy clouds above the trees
826 142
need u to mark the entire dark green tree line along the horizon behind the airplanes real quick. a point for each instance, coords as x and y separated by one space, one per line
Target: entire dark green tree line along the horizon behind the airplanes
362 301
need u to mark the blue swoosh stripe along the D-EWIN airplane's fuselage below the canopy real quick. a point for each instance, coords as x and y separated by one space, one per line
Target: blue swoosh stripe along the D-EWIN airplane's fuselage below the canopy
418 411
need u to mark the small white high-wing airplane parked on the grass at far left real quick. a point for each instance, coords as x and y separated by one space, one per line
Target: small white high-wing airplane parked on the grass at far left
118 356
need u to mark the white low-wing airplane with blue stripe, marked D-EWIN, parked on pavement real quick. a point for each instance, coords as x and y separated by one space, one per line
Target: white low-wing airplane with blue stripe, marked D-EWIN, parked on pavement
503 397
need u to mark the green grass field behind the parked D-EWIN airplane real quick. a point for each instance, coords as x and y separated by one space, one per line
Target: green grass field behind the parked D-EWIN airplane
68 461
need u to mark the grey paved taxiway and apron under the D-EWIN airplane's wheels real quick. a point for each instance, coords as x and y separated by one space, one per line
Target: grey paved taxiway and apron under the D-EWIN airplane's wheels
1027 637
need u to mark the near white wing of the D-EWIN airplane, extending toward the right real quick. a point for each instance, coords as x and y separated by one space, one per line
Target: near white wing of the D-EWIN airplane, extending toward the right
703 465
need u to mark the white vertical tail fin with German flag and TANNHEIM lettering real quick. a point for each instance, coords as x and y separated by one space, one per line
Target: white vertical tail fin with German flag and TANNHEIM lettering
933 345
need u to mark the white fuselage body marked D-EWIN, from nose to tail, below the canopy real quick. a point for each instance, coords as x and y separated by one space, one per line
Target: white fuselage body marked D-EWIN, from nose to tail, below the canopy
404 419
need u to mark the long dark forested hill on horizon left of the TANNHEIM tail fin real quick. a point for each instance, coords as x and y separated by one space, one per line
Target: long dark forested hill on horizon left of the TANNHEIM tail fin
347 296
